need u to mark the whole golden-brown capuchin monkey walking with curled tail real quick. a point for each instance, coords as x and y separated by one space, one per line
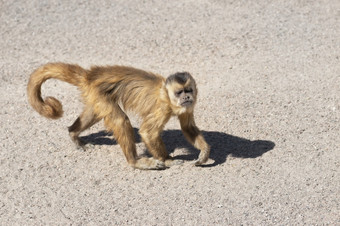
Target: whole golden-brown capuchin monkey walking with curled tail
110 91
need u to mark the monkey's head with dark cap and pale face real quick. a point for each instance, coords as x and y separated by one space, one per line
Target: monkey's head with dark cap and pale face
182 92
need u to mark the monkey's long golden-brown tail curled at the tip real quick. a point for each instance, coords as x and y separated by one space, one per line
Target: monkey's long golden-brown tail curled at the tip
51 107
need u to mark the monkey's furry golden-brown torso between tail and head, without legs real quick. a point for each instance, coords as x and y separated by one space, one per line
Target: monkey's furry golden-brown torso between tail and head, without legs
134 89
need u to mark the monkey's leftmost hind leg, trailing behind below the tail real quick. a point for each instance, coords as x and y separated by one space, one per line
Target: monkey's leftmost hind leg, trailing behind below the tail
83 122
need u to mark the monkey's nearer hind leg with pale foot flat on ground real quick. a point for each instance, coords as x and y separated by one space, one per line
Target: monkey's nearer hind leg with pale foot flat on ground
118 123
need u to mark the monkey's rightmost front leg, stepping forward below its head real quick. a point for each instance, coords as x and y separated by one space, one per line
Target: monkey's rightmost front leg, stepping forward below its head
195 137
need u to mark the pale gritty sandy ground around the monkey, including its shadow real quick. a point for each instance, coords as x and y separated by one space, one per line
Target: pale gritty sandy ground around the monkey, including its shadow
268 73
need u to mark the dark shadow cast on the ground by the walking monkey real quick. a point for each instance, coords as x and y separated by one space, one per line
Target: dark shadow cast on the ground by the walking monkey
222 145
